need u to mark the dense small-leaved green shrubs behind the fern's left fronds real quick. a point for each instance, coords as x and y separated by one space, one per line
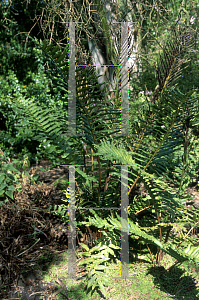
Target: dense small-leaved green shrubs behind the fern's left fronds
22 73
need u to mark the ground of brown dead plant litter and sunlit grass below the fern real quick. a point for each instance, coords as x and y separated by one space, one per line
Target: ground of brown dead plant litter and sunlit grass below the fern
35 262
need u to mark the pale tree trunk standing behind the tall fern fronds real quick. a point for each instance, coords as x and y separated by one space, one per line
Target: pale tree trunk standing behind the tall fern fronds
102 57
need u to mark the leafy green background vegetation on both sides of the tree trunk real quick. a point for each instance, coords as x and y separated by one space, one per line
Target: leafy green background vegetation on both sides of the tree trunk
23 71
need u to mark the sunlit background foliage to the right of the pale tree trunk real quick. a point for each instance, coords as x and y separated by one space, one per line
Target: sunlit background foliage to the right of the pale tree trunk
153 36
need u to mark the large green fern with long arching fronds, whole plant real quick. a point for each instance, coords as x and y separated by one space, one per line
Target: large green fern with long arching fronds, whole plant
160 146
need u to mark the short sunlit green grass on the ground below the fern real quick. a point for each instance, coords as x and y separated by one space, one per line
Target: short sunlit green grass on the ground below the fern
144 282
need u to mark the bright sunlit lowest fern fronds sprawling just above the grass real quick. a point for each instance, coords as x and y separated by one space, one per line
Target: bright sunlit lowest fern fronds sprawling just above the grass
110 243
